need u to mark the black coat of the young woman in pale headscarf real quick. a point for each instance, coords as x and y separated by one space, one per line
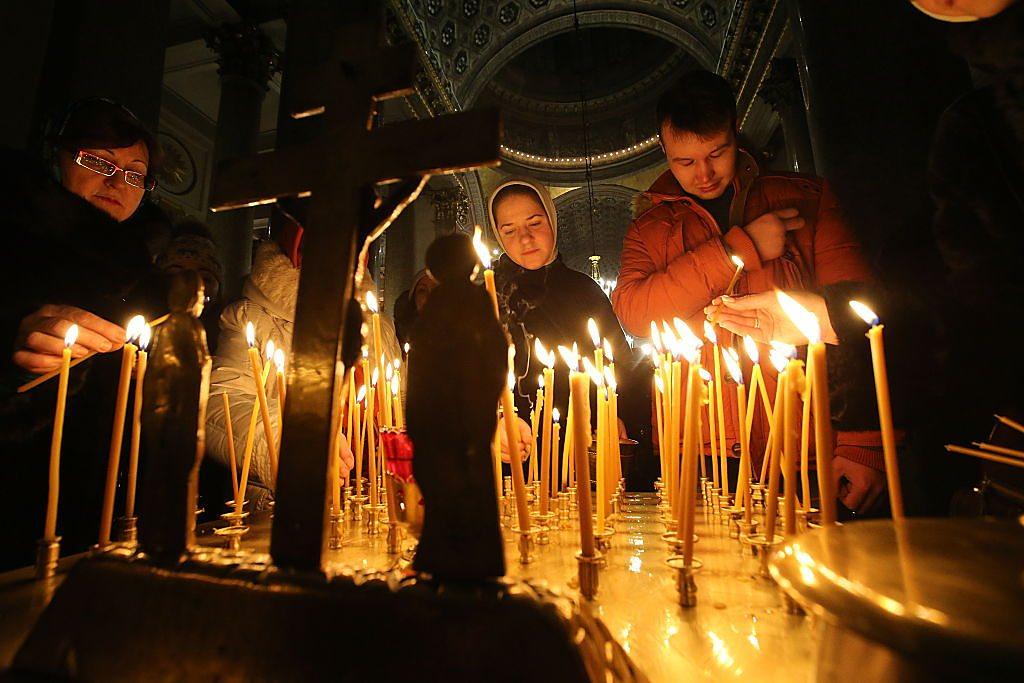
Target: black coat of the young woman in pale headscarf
554 304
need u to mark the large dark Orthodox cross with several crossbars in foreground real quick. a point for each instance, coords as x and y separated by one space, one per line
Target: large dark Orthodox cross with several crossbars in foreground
338 173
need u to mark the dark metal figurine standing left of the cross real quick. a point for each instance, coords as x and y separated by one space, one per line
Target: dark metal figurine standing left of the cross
178 385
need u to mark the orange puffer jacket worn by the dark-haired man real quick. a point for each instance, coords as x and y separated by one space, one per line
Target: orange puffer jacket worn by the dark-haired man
676 260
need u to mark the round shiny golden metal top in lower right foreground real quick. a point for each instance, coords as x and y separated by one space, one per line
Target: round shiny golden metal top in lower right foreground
928 588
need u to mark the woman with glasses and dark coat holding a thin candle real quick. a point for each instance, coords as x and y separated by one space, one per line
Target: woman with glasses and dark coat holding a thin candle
77 234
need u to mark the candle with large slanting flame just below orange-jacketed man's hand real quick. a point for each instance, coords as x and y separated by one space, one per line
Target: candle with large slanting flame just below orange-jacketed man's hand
809 327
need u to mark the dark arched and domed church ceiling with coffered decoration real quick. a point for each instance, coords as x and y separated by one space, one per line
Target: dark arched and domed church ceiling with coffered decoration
525 58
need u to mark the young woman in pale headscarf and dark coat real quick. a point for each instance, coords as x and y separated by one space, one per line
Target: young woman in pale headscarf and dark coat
542 298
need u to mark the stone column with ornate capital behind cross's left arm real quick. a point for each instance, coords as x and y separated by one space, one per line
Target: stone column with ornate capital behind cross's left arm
247 60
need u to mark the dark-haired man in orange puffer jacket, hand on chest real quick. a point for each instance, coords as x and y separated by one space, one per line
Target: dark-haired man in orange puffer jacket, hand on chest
712 204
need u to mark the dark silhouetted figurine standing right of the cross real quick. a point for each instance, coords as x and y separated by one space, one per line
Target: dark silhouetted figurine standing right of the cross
458 362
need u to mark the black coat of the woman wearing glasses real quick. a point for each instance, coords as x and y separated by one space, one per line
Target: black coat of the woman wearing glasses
64 251
